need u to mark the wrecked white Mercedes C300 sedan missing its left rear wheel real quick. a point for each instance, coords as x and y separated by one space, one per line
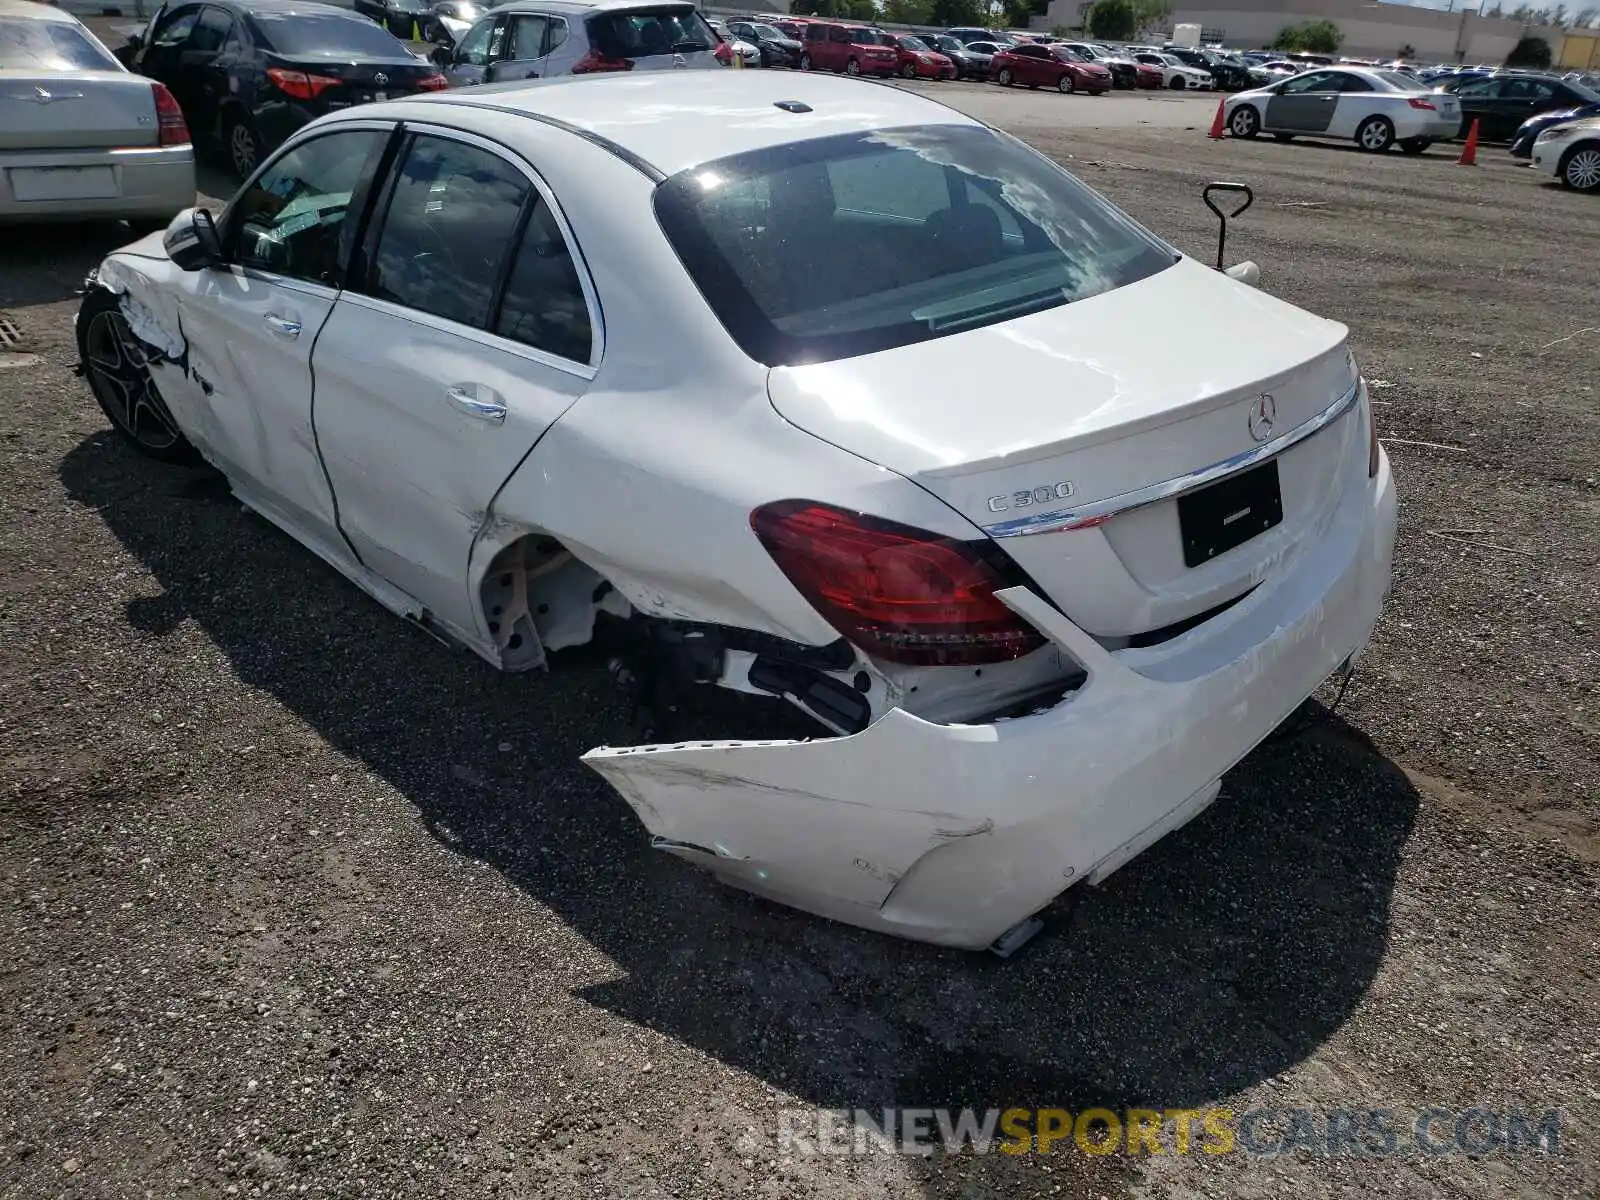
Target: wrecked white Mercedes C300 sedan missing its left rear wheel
703 367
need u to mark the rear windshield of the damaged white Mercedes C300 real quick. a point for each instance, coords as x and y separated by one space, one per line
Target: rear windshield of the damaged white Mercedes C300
862 242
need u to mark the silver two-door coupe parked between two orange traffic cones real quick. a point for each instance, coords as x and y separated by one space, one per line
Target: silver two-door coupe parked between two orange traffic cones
1372 108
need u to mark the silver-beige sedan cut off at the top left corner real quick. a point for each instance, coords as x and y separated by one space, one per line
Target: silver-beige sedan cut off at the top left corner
82 137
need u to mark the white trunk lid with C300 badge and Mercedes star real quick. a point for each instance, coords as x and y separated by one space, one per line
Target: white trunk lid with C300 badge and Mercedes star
1094 401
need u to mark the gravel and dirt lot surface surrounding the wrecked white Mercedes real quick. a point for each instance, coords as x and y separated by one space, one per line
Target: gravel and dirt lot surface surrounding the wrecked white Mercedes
298 902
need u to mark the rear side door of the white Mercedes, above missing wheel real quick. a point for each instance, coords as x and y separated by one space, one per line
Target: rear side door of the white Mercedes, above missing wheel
433 380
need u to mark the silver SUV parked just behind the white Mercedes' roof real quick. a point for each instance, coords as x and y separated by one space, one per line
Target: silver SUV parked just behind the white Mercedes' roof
564 38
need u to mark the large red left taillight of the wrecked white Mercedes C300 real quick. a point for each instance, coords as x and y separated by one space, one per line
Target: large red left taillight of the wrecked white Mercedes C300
900 594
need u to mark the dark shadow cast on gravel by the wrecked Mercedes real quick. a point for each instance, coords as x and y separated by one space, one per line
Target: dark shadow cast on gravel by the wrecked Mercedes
1218 959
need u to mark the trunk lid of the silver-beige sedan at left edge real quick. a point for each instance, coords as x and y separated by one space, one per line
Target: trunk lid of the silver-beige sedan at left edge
76 110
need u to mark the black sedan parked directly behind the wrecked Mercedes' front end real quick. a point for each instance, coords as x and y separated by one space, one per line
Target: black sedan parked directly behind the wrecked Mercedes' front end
250 73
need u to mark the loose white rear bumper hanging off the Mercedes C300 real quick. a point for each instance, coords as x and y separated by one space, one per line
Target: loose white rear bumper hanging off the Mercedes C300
953 834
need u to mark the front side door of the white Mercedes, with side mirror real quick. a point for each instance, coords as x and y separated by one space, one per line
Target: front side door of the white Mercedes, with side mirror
252 324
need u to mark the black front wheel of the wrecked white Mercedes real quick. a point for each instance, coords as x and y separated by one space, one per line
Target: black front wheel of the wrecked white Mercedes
116 366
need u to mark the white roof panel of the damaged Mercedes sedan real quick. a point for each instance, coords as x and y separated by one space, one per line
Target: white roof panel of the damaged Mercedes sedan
676 119
